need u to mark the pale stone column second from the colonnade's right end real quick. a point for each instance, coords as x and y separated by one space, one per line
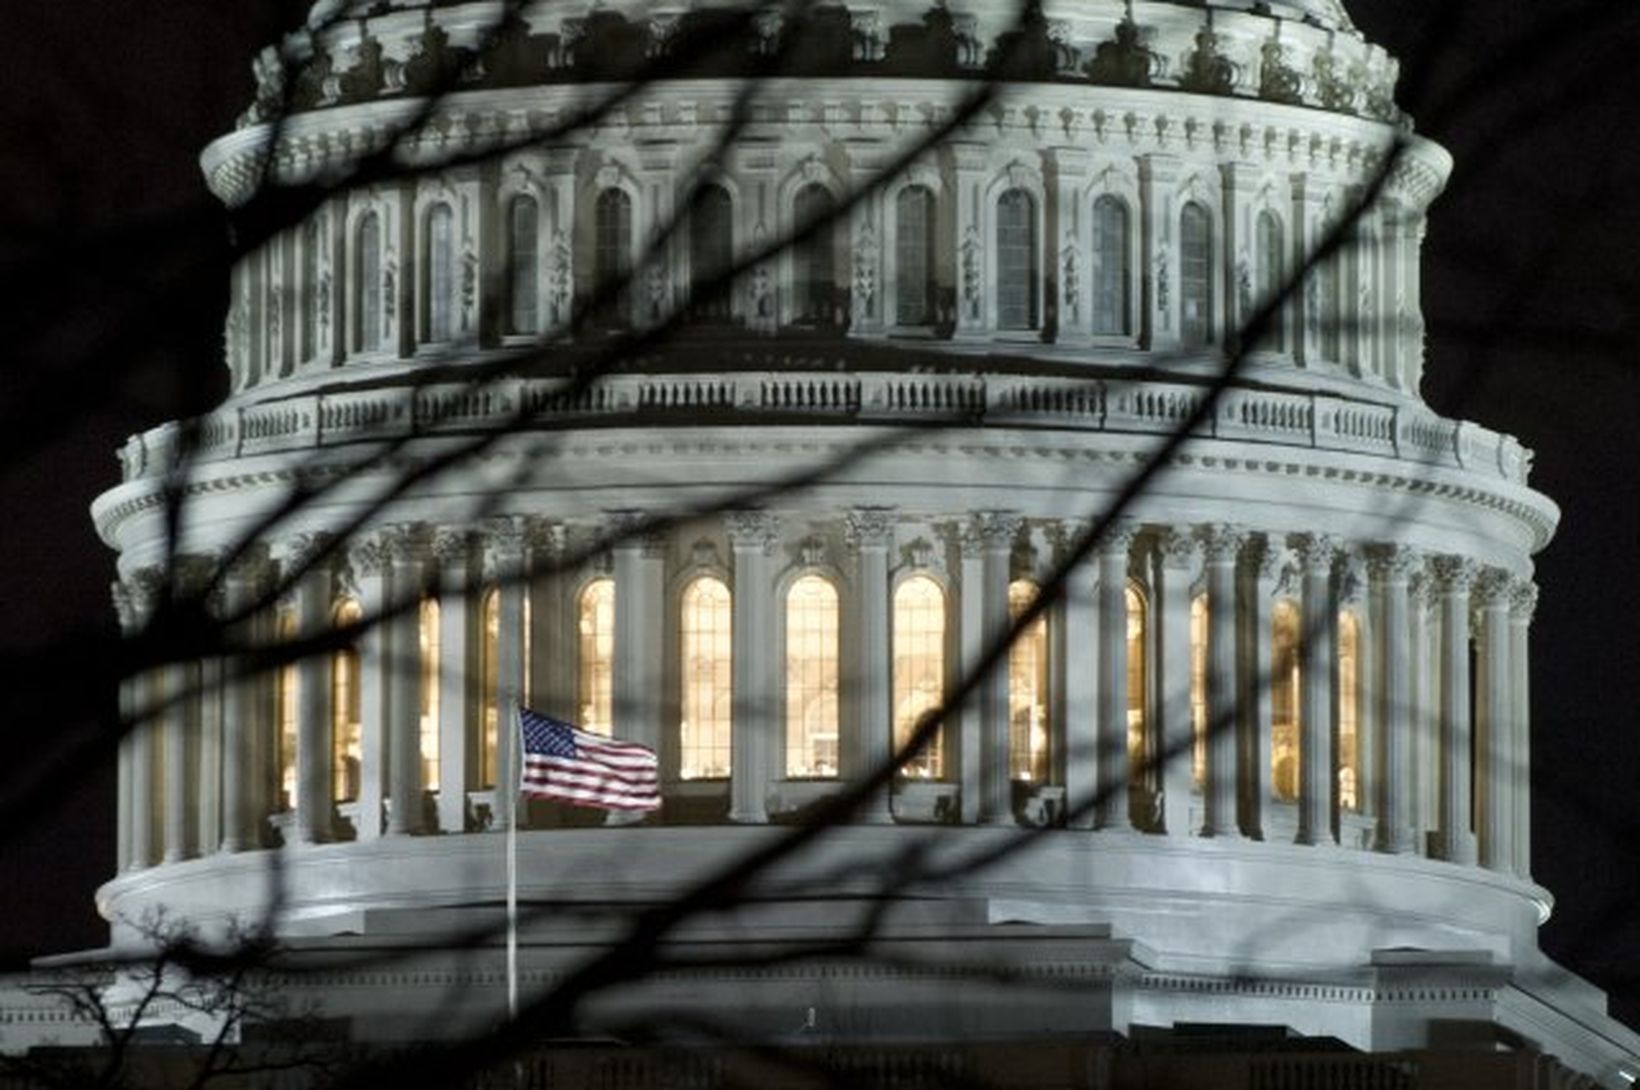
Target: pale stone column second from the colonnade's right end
1493 729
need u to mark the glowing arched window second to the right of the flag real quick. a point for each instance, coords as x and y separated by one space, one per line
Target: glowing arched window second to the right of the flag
811 678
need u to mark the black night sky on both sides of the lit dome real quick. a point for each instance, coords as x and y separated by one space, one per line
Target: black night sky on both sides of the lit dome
1531 293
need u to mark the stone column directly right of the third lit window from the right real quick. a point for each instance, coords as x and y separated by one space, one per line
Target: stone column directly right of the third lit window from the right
1221 547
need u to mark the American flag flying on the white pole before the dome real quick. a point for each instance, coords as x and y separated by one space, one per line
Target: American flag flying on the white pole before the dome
575 766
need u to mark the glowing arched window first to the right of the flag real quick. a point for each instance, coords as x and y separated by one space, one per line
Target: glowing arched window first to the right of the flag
708 679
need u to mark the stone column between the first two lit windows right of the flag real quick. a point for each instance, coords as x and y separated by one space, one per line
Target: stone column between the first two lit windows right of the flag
754 537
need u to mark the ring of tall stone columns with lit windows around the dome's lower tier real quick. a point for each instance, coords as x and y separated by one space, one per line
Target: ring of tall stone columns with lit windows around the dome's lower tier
227 756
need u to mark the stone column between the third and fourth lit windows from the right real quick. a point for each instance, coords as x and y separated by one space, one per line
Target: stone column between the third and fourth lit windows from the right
1175 563
